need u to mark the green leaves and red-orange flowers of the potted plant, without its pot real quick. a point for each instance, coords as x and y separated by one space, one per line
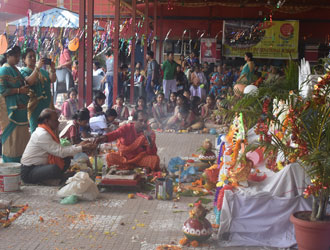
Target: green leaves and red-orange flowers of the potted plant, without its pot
307 133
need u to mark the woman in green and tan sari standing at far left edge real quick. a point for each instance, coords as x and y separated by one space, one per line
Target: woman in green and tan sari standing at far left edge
13 108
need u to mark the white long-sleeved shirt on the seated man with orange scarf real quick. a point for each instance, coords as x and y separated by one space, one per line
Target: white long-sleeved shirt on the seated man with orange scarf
41 144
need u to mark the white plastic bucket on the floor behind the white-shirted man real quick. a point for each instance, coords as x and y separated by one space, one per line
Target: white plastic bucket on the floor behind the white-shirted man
10 177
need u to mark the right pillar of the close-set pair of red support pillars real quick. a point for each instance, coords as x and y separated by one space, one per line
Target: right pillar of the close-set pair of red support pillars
89 54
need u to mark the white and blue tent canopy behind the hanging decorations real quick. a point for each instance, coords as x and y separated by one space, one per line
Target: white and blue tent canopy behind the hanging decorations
55 17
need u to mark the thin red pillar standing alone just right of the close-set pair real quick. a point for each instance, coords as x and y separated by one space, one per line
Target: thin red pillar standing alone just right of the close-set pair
116 50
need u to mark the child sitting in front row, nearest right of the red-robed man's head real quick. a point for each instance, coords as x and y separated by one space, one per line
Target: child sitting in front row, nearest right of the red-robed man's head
159 111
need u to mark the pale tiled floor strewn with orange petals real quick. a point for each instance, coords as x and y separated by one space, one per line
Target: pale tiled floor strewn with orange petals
111 222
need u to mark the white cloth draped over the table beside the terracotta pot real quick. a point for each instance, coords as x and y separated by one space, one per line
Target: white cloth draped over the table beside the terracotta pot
259 214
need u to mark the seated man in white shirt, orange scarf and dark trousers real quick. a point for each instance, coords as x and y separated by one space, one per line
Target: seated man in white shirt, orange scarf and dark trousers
42 160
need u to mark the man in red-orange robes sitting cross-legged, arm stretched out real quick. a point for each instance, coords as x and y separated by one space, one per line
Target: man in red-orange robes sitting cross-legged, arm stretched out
136 144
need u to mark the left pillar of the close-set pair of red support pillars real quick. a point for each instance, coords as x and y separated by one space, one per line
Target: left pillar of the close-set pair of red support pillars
81 54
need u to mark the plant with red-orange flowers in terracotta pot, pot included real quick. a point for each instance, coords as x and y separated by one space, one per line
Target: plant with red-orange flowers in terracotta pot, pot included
304 137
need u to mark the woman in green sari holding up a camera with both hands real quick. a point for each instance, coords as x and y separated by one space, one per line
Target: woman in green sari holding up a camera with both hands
39 81
